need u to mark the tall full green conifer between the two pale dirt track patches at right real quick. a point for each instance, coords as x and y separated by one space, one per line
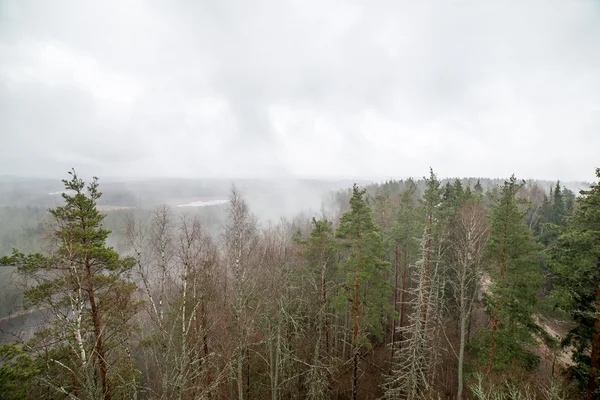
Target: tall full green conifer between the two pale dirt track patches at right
515 279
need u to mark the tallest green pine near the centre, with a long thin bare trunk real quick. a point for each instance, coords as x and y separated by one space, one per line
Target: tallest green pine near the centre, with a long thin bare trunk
365 271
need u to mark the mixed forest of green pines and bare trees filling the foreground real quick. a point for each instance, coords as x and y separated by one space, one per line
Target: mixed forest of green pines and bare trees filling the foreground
406 289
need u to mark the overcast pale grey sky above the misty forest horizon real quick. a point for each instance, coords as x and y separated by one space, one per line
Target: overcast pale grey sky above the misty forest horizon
302 88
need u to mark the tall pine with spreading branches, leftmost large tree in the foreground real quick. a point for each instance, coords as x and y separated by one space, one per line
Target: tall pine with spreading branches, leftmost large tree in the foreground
81 282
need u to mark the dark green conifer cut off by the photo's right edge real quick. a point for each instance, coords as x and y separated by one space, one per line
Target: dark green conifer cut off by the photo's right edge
576 261
